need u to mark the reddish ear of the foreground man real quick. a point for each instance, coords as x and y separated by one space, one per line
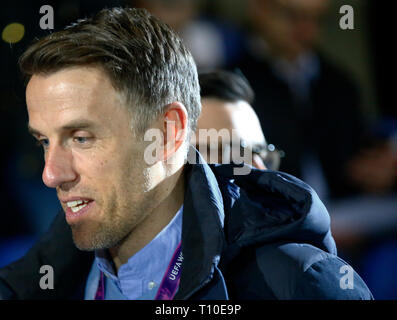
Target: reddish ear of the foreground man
175 125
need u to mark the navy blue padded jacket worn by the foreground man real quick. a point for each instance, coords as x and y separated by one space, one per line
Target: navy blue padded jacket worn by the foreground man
265 235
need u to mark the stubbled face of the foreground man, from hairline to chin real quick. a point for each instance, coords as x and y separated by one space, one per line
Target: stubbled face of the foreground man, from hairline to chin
91 155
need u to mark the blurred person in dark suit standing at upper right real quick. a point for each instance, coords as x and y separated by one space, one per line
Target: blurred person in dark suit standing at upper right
308 106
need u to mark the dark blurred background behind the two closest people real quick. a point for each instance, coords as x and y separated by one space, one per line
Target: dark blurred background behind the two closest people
323 96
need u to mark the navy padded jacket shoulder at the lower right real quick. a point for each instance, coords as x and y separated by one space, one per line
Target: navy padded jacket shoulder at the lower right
302 271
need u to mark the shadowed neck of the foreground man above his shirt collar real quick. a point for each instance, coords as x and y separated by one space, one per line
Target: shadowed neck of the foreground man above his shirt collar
157 218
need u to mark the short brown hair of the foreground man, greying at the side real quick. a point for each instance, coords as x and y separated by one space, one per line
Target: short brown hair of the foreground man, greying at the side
143 57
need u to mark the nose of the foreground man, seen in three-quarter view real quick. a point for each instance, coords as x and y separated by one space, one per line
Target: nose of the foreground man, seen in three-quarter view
58 167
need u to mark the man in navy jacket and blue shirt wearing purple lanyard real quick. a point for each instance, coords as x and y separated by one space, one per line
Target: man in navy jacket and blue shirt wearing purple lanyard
166 229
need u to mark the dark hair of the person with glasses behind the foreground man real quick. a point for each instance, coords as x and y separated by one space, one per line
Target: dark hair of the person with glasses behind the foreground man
225 85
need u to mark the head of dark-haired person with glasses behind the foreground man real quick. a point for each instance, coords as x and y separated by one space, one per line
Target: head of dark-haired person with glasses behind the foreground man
226 99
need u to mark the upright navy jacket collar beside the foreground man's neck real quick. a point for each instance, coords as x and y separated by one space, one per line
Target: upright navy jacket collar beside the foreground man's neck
202 227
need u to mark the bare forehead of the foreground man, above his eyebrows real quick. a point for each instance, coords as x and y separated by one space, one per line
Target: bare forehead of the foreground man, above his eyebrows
69 93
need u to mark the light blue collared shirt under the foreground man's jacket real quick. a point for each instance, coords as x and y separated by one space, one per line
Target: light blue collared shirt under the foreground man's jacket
140 277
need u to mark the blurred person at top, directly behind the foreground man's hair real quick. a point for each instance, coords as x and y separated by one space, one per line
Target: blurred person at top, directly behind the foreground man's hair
213 43
